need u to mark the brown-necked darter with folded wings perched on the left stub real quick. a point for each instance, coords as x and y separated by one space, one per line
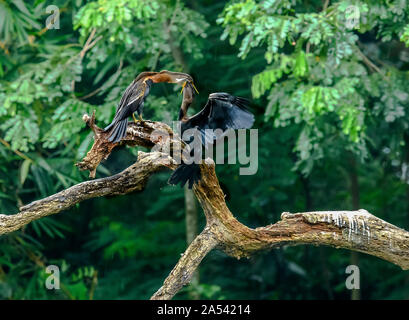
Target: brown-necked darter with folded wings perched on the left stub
134 97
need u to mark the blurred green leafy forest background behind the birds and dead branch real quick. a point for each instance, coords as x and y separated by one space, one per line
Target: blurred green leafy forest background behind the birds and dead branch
328 84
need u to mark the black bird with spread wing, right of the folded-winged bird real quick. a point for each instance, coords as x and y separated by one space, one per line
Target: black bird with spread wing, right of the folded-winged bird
222 111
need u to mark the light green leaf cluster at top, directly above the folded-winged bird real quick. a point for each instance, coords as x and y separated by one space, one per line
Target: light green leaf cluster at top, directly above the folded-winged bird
148 28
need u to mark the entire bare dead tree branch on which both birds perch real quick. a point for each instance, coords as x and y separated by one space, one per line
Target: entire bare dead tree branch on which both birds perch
352 230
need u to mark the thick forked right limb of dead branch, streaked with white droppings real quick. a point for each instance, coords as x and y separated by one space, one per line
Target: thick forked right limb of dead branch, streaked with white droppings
353 230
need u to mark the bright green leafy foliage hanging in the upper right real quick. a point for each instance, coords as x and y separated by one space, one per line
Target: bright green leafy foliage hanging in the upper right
320 68
